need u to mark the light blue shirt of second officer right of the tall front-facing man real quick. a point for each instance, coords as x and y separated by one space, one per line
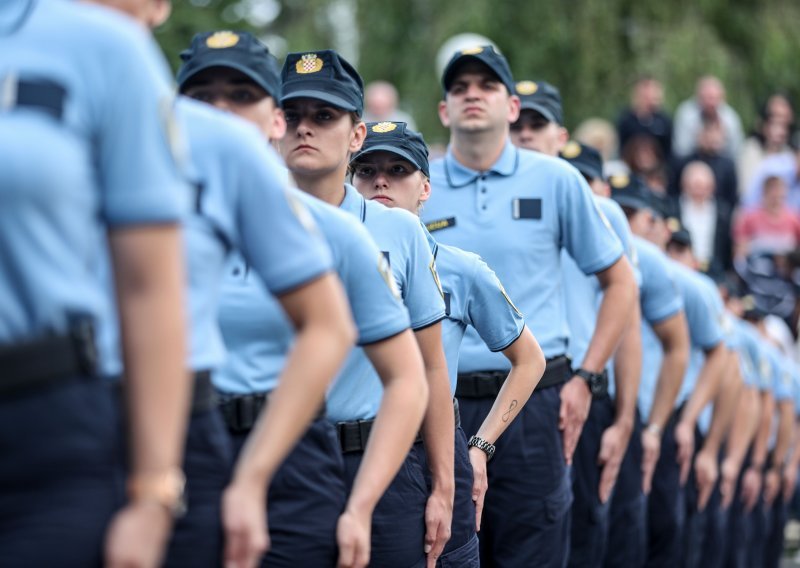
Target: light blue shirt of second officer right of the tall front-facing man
660 299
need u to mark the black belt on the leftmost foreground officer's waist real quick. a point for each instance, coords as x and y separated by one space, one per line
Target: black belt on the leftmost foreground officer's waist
39 362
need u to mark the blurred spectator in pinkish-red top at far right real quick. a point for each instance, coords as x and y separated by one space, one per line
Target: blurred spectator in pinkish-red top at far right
772 228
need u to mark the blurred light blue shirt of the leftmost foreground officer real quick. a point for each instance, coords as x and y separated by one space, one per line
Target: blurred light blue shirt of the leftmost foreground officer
96 157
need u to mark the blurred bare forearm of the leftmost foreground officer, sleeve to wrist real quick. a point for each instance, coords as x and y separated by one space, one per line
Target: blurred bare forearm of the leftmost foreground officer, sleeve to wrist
149 285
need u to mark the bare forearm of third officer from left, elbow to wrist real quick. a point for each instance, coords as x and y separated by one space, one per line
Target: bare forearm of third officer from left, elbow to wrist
405 398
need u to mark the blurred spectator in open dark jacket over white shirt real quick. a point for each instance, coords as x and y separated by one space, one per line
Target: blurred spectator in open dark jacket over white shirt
707 218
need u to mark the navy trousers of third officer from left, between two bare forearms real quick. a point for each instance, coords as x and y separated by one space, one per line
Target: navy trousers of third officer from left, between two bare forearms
305 499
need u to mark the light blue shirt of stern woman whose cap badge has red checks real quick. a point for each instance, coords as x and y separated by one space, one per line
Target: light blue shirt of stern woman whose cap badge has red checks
357 391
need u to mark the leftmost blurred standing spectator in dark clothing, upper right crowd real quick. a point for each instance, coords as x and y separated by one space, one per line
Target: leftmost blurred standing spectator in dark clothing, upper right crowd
646 116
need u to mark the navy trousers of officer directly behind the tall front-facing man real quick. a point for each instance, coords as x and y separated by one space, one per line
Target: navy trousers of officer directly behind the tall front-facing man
590 517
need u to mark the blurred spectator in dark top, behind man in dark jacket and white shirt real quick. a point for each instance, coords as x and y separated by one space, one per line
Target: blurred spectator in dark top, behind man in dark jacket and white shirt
710 143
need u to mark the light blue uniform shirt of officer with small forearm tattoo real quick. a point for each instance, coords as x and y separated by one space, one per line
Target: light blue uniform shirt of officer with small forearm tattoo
473 296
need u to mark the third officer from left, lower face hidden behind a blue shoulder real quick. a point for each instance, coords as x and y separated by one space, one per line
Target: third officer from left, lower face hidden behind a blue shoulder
258 337
